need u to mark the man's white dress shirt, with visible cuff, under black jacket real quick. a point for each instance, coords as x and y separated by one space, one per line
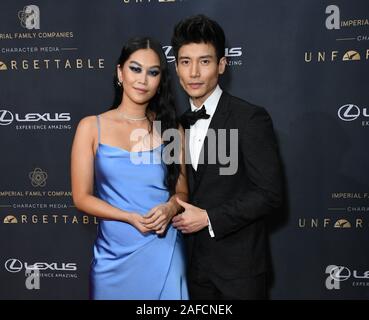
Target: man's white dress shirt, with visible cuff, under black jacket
198 132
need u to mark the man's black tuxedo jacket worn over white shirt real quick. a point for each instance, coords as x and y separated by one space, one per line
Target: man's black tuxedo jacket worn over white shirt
236 204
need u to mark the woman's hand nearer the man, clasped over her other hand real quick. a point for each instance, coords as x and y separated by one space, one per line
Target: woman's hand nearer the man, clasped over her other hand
158 218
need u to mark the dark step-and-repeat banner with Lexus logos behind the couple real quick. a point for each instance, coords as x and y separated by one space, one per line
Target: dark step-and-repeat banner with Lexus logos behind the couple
305 61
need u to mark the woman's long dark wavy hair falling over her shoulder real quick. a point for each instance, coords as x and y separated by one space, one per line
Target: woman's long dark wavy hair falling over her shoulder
162 104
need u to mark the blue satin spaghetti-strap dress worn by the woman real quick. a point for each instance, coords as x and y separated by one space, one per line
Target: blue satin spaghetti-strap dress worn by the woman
127 264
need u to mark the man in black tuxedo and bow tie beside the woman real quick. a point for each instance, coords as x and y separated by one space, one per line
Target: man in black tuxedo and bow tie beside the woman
224 224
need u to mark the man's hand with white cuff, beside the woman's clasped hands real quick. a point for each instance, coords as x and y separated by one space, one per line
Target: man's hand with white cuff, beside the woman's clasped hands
192 219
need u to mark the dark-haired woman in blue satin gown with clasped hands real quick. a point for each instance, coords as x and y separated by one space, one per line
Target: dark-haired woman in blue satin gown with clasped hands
119 175
